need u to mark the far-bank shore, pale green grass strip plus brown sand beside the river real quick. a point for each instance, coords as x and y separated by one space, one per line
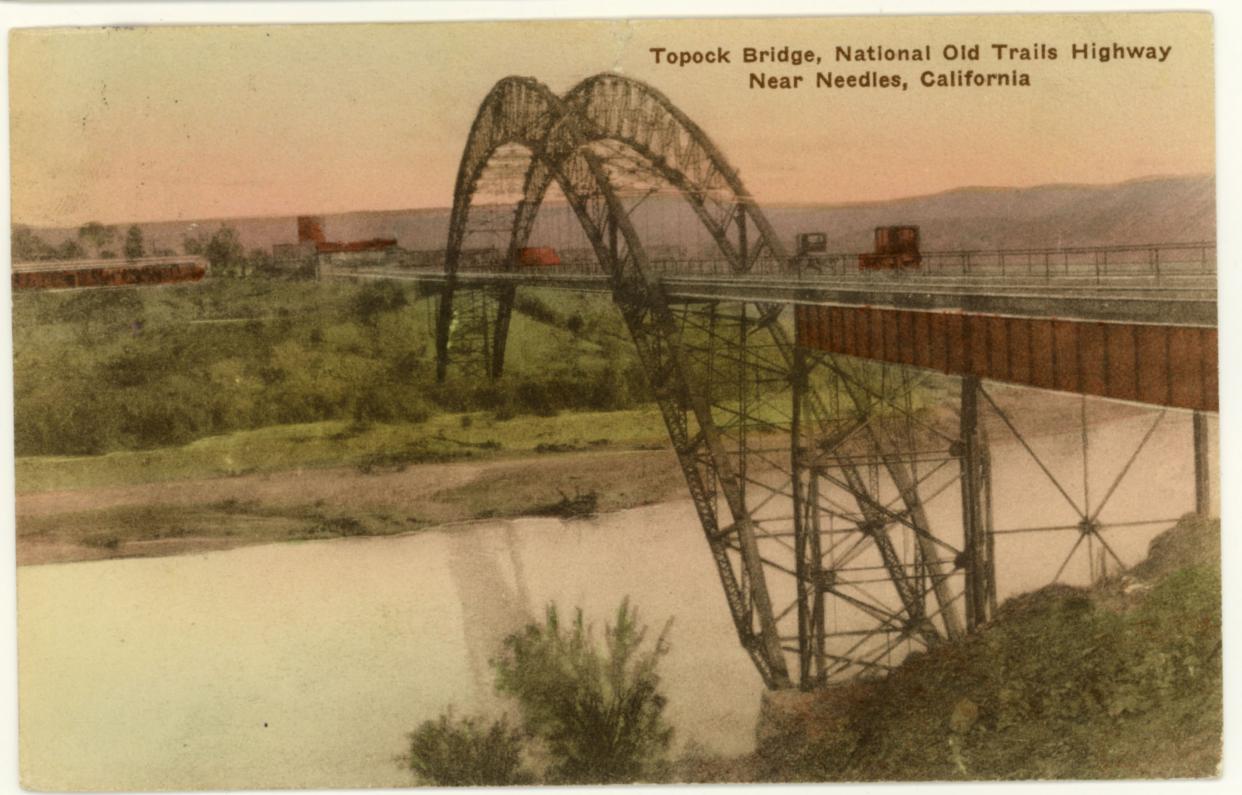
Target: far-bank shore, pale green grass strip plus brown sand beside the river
337 479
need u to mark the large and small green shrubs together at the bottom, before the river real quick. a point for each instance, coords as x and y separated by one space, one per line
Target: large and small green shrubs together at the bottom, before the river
596 715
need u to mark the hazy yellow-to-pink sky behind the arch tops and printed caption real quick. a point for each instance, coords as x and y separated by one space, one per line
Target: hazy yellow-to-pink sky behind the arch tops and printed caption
166 124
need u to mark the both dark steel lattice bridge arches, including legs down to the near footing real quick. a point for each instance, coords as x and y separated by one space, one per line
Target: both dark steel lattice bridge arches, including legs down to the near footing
569 139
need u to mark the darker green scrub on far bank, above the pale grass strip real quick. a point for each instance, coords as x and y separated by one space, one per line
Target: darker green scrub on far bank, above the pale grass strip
100 372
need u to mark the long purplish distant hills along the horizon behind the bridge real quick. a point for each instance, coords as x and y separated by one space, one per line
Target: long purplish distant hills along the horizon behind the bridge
1148 211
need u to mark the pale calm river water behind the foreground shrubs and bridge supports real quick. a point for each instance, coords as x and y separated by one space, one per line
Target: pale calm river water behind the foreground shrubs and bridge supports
305 665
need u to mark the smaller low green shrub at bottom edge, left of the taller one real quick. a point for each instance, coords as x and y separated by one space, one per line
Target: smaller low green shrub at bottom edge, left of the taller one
464 753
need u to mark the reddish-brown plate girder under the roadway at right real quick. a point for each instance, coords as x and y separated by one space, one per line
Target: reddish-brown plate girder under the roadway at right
1167 366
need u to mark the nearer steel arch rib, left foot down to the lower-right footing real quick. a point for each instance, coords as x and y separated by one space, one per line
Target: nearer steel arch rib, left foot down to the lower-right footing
526 112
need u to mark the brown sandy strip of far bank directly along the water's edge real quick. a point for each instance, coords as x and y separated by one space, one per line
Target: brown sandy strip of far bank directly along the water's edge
202 515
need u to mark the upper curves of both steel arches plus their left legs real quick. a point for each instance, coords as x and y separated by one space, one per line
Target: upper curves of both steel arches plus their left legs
599 110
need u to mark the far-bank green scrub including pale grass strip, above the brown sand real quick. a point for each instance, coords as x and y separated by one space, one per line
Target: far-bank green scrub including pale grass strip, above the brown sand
239 376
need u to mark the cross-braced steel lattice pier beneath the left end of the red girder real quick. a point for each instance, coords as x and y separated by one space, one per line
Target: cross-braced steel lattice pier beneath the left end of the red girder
876 581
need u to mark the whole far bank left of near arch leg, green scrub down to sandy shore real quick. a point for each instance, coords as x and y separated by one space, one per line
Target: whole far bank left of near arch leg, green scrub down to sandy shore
261 376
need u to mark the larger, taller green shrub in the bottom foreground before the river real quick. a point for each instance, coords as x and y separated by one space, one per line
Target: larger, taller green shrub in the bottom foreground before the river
599 712
